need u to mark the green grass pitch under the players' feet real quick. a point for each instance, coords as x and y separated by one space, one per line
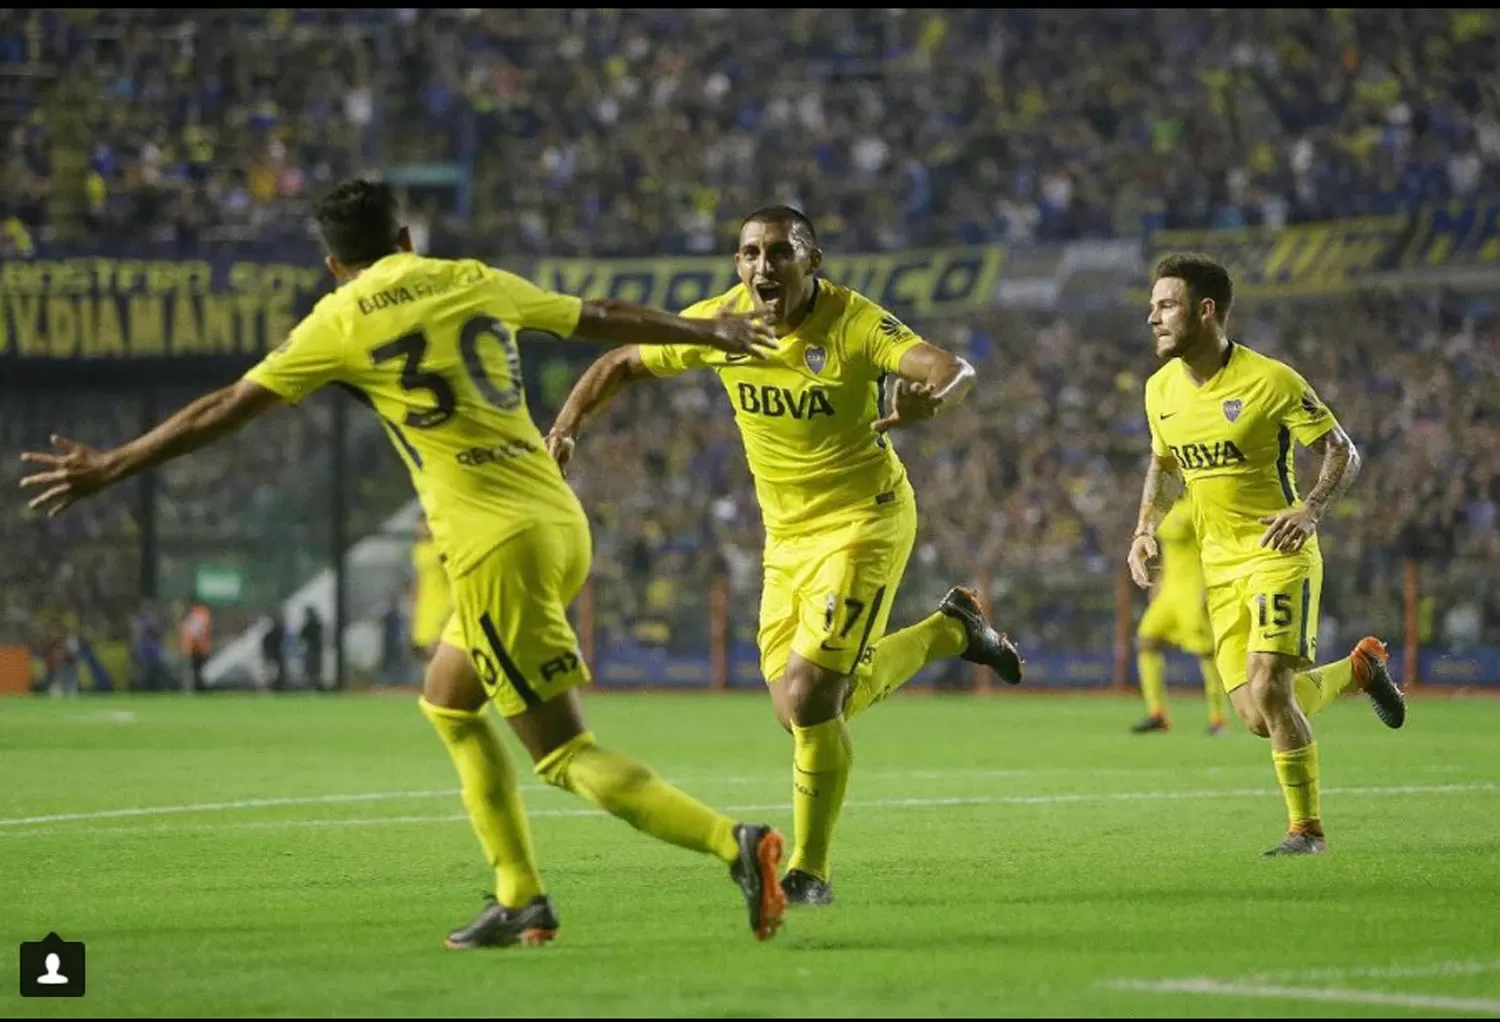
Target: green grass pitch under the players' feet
1009 856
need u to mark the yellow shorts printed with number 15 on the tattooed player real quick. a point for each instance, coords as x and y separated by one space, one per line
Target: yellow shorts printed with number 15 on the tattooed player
1274 610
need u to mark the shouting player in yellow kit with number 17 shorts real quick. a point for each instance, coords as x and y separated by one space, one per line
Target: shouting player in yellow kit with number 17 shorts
841 516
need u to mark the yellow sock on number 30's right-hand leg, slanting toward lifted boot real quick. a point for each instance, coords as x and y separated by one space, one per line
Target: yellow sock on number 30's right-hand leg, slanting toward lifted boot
634 793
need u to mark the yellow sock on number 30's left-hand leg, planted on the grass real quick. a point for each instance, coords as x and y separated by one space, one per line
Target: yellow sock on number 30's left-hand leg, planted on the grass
493 801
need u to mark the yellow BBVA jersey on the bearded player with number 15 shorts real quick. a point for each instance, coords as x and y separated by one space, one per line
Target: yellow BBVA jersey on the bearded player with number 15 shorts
1232 437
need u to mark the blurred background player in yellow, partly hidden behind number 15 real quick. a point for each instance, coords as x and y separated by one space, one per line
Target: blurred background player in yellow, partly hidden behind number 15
1178 618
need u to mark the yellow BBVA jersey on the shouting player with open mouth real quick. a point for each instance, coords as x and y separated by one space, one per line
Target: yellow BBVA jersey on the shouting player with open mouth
805 412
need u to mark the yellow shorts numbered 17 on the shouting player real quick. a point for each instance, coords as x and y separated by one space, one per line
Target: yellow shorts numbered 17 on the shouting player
827 595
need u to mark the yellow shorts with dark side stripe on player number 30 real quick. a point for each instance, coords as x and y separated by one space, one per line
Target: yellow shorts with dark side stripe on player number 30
511 616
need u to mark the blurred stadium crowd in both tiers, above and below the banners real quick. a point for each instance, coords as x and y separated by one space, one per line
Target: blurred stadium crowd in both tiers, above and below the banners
644 133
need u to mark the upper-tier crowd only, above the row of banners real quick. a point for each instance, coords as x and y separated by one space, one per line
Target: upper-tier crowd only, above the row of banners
614 133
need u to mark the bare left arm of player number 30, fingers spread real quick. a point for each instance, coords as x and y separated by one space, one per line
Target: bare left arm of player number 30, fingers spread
79 472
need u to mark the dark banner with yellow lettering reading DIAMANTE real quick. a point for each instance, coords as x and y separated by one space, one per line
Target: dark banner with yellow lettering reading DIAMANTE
97 310
